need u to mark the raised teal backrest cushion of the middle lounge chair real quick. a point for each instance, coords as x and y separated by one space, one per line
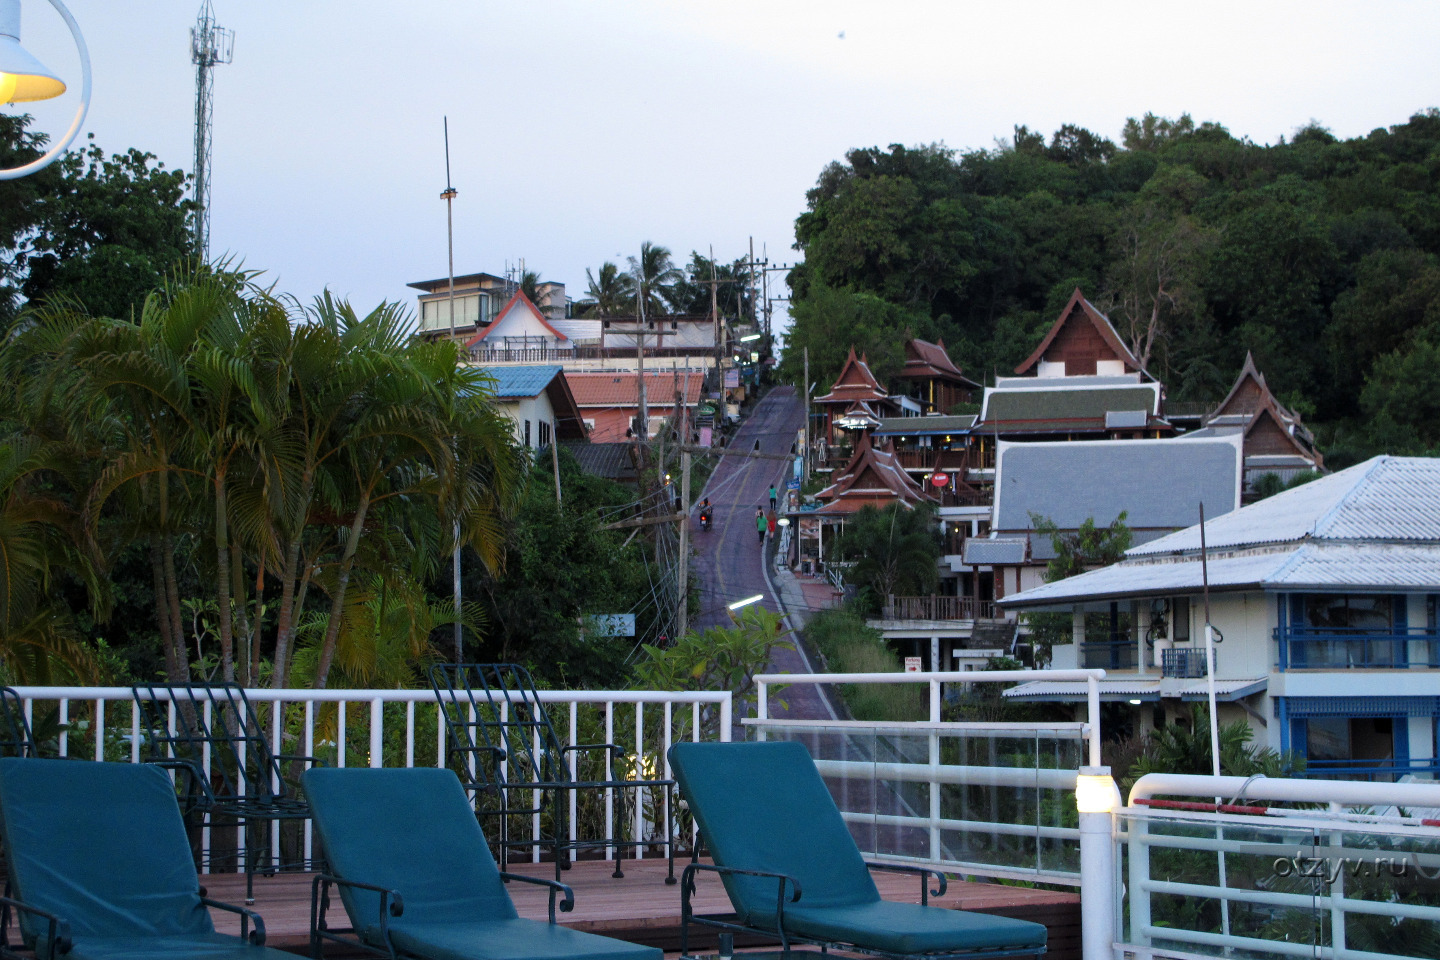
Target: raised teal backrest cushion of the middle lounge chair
413 831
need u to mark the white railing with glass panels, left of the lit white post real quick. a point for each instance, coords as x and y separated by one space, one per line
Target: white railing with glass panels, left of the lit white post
991 800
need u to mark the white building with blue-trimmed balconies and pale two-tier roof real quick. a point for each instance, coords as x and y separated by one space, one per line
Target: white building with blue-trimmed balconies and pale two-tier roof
1326 598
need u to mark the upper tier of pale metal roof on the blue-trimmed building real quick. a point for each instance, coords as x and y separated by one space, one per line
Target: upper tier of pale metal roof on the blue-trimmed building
1383 499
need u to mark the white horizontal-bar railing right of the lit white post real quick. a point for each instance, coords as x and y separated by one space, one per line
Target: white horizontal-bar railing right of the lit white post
1333 880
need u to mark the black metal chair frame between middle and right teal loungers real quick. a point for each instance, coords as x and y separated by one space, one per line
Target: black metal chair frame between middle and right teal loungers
505 748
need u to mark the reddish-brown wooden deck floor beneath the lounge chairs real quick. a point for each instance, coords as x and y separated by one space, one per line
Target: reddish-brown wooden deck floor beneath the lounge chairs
642 907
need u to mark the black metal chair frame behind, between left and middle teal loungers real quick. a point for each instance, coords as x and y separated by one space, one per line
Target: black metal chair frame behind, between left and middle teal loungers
246 784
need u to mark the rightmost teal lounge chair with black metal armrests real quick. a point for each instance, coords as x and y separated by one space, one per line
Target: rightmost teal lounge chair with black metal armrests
794 871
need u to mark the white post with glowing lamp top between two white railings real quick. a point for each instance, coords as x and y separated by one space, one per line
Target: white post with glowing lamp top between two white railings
1097 798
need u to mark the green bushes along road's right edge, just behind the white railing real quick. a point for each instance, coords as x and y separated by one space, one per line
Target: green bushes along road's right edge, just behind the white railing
850 647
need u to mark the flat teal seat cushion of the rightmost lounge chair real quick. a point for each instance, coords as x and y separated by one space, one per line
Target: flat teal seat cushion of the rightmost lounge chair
911 928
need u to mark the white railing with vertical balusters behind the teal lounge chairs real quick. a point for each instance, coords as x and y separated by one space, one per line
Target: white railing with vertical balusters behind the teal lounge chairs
86 728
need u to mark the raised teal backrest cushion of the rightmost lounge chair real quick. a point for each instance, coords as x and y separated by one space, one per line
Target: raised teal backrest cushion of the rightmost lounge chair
764 807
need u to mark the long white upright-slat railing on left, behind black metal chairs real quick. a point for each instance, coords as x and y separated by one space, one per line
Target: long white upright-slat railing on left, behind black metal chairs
391 729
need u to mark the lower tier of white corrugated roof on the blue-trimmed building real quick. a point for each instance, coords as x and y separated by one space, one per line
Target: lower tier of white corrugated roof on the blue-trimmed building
1311 566
